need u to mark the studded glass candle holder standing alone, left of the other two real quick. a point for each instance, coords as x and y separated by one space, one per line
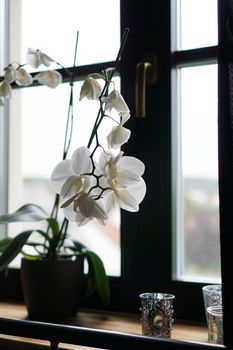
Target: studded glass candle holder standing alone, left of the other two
157 314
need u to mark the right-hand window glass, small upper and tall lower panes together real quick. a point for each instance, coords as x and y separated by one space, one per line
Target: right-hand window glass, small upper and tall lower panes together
195 143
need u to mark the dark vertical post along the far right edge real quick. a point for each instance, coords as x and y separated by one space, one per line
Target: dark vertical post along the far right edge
225 120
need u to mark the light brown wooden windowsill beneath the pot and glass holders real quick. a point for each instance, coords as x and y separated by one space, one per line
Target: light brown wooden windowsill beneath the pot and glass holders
113 321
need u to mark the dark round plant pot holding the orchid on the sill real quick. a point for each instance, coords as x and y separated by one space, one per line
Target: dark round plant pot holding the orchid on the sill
52 288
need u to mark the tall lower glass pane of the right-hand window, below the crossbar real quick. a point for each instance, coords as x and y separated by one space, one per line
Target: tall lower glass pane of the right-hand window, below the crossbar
199 210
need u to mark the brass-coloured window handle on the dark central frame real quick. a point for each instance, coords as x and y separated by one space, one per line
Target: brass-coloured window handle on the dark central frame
146 74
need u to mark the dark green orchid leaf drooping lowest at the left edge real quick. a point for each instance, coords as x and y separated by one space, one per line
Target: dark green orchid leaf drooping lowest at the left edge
14 248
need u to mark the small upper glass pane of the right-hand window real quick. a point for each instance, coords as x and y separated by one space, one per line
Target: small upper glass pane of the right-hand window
198 23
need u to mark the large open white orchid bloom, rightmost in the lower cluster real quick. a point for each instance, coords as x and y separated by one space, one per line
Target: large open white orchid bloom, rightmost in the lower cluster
124 177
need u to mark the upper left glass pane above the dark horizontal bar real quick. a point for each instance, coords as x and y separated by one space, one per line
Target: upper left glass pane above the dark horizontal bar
51 26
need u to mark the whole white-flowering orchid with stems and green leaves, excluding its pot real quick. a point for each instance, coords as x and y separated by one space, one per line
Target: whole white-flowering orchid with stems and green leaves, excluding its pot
85 188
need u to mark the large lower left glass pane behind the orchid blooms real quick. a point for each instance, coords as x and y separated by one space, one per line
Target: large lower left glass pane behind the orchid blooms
37 135
